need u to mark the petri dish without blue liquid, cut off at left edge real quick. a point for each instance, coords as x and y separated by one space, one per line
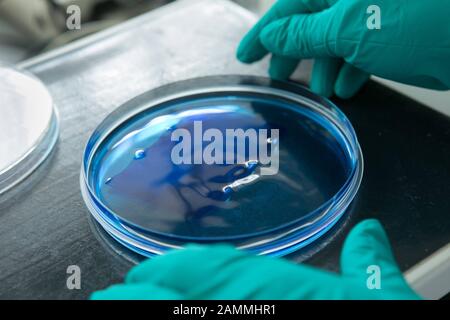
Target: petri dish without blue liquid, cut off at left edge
28 126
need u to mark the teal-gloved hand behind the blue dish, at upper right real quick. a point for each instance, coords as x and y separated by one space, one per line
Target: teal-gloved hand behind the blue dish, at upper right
412 45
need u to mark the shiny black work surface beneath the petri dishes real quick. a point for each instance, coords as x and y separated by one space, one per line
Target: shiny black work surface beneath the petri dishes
44 224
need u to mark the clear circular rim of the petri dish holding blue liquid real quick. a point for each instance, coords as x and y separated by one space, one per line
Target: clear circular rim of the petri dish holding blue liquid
223 85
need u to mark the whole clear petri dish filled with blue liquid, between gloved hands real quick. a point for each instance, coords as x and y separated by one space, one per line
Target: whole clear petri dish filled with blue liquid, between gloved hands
263 165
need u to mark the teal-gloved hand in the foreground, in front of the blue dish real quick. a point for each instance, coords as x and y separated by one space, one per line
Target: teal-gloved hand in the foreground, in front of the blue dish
221 272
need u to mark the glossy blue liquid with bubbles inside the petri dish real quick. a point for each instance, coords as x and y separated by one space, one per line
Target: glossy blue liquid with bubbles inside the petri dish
134 175
